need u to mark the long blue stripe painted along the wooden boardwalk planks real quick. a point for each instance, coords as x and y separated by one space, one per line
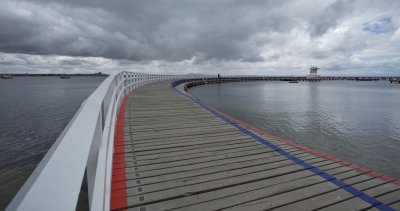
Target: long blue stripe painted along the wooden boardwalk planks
342 185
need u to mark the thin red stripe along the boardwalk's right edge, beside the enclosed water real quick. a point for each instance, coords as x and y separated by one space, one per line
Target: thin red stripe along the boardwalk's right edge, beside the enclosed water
315 152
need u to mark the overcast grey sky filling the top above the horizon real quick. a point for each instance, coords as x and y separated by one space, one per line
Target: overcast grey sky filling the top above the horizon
212 36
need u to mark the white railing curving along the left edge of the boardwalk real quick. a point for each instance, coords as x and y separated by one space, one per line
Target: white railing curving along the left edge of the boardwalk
85 145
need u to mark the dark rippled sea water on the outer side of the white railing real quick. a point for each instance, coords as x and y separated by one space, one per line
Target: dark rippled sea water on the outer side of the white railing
33 113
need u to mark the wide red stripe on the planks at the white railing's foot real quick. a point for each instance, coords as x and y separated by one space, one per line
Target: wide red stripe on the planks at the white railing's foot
118 183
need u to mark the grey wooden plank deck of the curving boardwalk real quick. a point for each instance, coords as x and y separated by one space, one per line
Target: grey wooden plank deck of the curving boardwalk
178 155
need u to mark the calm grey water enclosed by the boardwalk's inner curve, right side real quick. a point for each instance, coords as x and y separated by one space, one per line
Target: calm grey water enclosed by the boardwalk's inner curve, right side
356 121
